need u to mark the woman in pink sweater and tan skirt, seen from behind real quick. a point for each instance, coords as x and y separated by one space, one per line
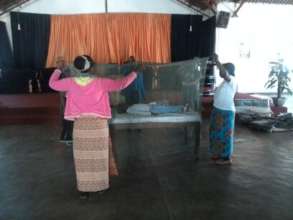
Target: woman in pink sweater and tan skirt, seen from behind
88 106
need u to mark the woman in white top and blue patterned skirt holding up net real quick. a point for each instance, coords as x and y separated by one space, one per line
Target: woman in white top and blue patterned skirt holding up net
223 116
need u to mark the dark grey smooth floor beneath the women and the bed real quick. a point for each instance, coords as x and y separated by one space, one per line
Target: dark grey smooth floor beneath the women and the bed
158 178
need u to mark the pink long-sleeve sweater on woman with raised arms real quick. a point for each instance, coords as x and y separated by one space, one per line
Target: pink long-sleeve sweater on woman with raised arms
91 99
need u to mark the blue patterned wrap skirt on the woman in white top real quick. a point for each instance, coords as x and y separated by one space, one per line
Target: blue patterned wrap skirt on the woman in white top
221 134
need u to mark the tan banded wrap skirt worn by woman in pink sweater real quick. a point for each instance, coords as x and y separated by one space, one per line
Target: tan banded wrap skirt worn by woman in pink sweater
92 153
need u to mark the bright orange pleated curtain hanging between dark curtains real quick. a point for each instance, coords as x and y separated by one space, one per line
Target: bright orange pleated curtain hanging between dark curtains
111 38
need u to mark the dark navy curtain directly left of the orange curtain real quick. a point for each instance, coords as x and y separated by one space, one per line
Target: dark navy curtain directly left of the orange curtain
30 33
